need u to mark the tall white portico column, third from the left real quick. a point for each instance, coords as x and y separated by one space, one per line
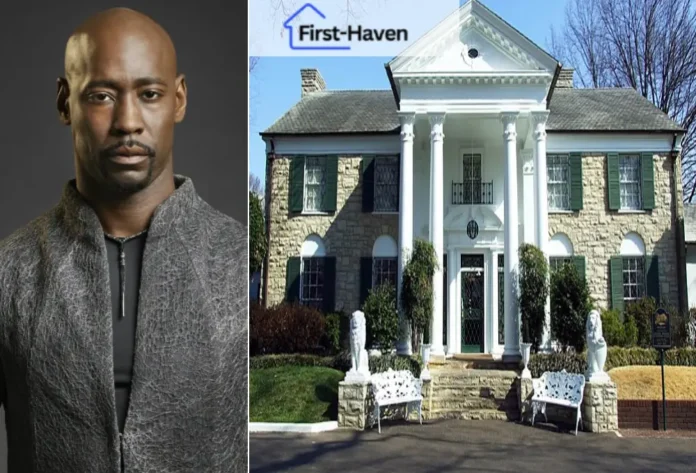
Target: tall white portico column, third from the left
512 335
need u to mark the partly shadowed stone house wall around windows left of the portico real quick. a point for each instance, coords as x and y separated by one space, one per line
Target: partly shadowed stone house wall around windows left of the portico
348 234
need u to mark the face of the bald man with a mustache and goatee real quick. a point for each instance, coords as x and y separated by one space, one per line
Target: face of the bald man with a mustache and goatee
123 101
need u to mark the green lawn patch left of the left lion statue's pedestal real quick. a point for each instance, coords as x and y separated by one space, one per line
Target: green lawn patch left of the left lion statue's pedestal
294 394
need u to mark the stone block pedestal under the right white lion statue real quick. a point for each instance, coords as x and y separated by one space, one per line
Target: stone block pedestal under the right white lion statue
600 411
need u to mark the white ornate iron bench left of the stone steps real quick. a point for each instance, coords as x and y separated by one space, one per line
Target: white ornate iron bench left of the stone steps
395 387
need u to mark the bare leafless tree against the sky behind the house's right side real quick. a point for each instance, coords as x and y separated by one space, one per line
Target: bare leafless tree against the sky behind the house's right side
649 45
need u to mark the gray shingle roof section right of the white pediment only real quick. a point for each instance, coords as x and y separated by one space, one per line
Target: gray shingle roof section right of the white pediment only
605 110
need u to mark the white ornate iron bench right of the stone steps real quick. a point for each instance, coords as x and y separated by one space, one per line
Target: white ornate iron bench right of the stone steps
559 388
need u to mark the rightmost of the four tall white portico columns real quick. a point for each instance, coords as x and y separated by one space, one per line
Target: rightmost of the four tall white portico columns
542 205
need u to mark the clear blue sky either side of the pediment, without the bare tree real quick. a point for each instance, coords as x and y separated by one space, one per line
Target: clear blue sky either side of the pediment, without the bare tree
274 85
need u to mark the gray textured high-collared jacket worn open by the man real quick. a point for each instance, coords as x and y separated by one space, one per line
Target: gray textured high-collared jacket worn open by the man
188 407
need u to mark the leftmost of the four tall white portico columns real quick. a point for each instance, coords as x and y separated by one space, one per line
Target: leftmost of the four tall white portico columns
405 219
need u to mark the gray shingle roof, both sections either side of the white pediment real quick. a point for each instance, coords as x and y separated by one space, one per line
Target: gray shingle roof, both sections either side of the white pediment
374 111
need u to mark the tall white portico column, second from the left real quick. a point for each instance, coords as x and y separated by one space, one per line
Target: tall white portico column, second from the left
436 226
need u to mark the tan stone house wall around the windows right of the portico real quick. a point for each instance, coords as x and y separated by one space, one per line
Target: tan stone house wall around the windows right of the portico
596 233
